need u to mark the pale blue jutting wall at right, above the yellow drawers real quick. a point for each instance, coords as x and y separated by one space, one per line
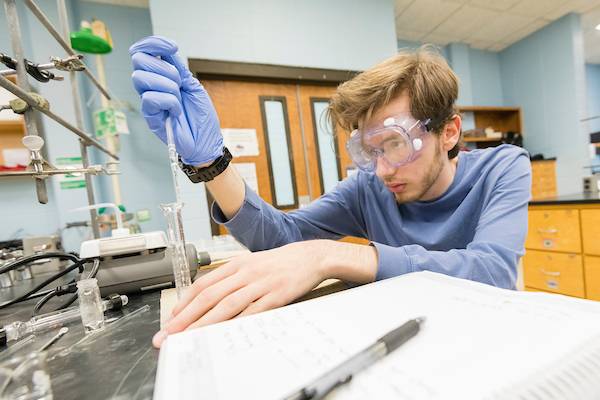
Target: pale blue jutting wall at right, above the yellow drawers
544 74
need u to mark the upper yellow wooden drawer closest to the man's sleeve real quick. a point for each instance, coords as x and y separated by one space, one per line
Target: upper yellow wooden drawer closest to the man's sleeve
554 230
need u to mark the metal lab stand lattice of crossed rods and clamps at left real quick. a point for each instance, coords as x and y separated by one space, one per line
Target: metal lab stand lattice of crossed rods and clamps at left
29 104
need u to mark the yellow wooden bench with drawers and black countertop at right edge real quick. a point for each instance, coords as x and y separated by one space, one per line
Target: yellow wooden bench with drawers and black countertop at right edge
562 250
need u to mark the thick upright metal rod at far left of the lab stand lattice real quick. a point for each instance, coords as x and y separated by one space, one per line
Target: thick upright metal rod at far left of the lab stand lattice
14 30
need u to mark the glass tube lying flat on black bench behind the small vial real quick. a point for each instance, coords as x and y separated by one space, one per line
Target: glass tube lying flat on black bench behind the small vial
43 322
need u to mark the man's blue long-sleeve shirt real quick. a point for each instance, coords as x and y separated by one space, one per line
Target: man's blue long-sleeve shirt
476 230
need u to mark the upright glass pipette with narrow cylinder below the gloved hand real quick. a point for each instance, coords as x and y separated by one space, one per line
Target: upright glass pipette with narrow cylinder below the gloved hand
172 212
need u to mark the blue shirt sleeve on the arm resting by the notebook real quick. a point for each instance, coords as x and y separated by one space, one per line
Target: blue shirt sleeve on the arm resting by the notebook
493 255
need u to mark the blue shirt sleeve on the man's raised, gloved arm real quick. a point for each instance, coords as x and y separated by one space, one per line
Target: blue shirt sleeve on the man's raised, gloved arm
260 226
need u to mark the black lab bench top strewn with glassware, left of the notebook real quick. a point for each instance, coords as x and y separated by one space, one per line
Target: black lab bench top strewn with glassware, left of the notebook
117 363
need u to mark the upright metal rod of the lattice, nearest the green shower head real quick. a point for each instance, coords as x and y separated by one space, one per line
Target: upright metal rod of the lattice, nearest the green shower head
63 19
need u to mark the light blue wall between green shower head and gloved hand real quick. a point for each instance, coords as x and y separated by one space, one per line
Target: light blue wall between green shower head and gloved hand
145 179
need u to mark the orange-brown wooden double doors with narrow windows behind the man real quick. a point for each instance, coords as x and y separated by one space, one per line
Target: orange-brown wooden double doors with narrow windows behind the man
240 104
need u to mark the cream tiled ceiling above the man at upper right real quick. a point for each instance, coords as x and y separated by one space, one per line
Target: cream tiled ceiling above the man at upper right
491 24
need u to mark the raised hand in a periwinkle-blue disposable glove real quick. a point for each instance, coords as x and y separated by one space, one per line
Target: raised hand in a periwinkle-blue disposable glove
168 88
